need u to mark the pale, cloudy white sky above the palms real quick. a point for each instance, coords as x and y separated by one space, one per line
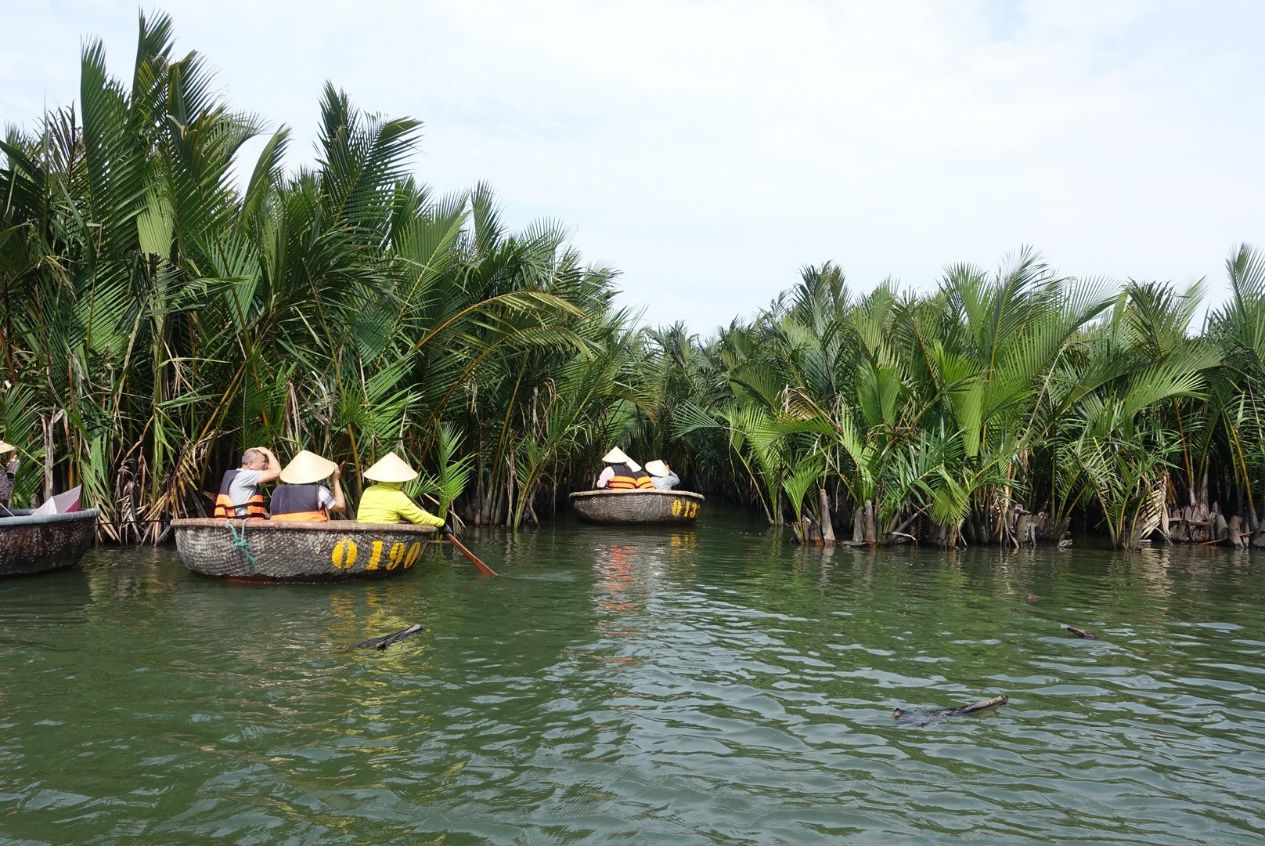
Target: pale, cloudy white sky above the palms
712 150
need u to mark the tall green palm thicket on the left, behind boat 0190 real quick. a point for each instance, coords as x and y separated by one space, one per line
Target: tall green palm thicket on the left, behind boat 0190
173 319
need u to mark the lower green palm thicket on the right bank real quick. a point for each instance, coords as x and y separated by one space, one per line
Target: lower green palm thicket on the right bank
943 415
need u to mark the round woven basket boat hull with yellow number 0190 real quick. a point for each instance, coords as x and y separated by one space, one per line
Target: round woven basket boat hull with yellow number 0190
298 552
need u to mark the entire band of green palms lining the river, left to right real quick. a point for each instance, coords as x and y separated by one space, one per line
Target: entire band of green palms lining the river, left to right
168 304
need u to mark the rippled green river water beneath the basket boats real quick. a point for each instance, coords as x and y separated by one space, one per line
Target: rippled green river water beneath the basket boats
715 686
